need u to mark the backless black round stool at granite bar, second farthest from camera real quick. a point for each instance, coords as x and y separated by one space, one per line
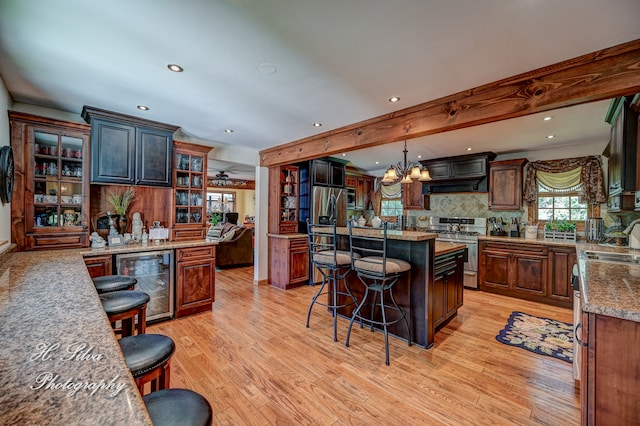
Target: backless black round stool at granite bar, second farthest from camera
125 305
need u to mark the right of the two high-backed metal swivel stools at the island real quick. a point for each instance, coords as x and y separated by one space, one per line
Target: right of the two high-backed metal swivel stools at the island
379 274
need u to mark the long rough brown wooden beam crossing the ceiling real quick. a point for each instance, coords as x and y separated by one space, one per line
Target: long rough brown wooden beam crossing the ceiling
604 74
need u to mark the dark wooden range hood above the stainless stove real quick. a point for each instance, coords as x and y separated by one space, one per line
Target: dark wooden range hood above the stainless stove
464 173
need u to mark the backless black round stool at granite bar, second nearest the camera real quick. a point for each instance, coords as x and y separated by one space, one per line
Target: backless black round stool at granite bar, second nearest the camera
148 356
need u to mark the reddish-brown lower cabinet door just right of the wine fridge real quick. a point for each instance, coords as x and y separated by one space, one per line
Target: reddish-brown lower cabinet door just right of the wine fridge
195 286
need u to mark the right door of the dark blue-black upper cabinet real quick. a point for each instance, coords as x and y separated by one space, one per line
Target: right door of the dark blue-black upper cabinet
154 157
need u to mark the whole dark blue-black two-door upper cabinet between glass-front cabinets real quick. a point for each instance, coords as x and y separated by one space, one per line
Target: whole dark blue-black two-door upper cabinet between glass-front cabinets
128 150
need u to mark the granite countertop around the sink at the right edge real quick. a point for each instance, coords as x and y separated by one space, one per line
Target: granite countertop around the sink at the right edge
609 288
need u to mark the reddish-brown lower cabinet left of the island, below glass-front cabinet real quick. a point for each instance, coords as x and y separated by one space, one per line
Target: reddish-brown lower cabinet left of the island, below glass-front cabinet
288 261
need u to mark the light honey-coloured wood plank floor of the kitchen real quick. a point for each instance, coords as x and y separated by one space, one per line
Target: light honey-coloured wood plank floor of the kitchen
257 364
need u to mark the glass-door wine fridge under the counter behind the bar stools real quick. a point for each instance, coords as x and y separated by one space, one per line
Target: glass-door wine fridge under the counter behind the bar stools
154 272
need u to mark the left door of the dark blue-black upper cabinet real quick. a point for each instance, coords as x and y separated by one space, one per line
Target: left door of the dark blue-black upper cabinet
113 147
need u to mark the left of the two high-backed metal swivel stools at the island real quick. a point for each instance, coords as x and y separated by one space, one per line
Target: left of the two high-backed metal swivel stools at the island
334 265
